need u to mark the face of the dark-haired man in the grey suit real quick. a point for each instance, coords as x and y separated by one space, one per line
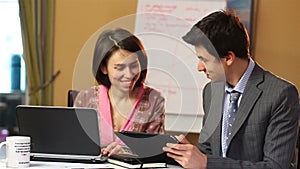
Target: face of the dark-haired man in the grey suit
210 65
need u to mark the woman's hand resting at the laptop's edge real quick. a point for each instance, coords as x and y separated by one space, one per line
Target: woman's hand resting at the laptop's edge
115 148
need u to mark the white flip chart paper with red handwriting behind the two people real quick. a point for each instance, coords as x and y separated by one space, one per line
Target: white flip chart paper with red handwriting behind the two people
160 24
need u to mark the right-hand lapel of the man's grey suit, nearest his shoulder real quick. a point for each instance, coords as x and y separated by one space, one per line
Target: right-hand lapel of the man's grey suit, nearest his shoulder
250 96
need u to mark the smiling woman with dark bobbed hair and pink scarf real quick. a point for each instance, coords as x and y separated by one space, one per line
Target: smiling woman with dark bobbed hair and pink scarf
122 100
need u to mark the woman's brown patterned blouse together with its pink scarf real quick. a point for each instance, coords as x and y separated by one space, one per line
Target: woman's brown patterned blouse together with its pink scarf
148 113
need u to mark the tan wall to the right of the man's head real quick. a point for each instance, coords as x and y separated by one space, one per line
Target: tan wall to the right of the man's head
277 39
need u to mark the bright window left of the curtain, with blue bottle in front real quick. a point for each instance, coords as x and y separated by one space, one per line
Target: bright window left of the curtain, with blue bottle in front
12 66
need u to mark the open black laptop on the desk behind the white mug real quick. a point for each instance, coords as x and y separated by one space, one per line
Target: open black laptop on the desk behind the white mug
61 133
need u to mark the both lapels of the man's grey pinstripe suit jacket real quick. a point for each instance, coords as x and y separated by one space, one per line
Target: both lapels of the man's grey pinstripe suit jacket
212 126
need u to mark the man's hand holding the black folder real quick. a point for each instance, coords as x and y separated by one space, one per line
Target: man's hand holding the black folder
186 154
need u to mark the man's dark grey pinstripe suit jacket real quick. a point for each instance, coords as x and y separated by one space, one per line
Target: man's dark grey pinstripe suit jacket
265 129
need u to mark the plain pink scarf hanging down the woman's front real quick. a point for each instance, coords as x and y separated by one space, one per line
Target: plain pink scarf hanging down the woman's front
105 120
